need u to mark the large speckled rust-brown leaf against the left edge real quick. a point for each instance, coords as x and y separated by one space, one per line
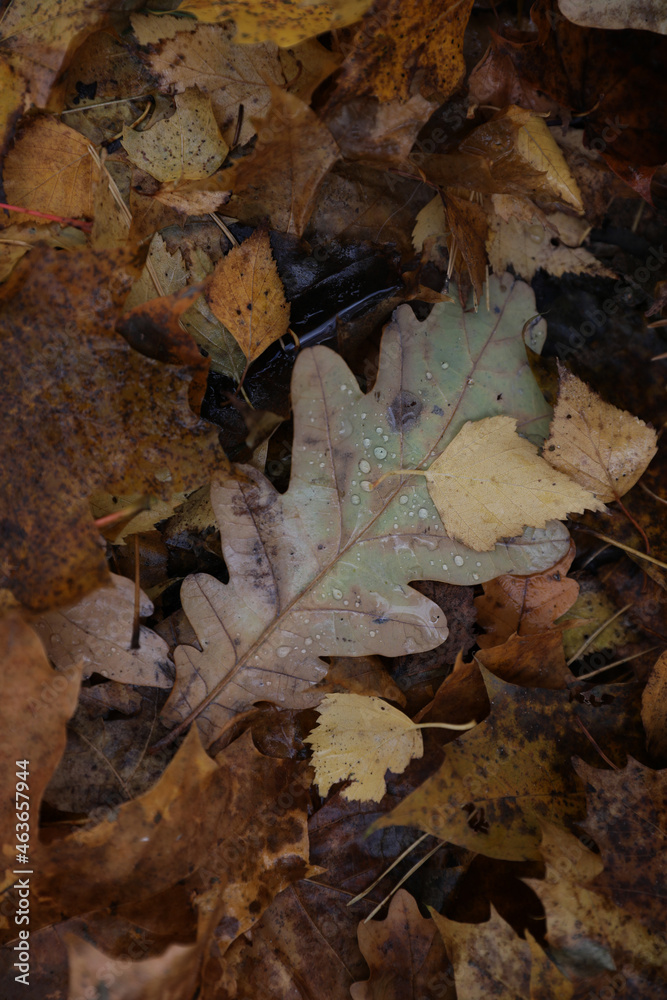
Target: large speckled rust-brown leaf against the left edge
93 415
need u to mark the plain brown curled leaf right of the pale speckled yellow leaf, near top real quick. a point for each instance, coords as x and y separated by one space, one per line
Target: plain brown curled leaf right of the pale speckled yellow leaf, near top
293 136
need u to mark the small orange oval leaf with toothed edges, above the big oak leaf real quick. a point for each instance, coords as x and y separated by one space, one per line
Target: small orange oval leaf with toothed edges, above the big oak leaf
247 296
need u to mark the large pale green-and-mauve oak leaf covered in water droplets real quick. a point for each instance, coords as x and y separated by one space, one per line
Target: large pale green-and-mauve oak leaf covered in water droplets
311 568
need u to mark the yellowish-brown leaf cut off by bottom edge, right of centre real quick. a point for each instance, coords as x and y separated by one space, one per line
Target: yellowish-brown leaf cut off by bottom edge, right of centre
491 960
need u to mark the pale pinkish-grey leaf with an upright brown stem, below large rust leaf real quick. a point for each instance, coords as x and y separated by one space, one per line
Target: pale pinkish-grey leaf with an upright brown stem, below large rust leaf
97 632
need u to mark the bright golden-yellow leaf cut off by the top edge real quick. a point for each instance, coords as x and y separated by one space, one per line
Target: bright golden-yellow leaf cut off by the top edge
285 22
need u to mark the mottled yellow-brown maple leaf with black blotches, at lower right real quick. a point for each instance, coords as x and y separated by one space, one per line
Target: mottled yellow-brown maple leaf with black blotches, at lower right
497 782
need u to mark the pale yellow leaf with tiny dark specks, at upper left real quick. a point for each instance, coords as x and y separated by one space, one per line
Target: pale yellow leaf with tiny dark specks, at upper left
187 146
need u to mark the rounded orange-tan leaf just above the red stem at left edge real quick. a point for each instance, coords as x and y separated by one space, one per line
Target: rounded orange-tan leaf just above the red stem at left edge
50 170
